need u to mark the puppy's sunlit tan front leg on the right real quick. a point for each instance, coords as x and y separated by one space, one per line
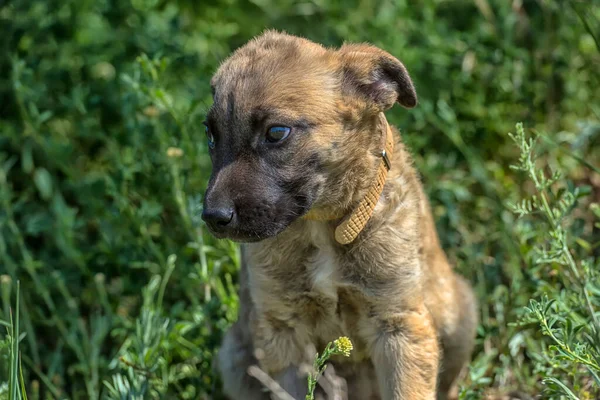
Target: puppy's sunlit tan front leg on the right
406 355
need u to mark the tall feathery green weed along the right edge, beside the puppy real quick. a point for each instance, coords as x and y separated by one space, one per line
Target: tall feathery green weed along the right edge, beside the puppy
569 290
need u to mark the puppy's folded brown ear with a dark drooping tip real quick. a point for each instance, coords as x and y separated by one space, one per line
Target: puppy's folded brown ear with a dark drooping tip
376 75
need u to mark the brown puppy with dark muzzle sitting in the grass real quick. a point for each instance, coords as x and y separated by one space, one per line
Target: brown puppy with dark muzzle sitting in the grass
296 134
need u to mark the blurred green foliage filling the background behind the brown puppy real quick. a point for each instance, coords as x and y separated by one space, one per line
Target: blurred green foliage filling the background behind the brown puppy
103 164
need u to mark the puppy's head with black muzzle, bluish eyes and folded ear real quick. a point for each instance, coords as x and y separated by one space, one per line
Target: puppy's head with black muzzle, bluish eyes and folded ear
295 128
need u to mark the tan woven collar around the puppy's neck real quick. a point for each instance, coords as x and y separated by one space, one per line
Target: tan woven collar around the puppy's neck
352 224
